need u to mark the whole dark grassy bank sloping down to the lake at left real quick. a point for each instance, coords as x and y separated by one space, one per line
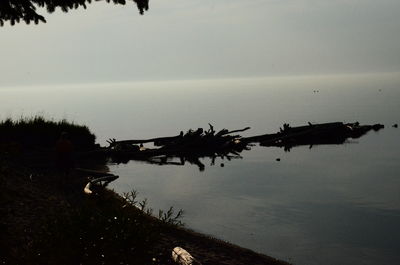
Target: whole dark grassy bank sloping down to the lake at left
46 217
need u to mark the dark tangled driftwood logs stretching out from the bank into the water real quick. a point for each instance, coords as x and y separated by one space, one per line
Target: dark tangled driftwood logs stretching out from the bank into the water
195 144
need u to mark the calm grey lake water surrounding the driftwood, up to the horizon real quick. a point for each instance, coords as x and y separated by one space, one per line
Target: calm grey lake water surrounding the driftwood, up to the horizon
329 204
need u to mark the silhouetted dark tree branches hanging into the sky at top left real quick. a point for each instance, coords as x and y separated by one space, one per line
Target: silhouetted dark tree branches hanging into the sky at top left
25 10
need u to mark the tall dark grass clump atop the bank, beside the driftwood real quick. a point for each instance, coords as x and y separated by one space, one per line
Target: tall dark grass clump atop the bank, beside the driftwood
39 132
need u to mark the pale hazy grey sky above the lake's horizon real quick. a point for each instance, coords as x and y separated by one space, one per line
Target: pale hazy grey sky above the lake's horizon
202 39
